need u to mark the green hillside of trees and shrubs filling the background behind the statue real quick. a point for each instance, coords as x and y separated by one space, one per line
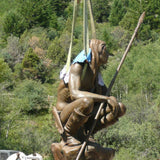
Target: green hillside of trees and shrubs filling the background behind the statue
34 43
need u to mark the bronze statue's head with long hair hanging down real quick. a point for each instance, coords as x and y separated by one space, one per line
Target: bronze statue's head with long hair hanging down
99 52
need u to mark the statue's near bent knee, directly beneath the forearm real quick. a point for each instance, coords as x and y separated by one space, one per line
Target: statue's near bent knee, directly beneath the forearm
86 106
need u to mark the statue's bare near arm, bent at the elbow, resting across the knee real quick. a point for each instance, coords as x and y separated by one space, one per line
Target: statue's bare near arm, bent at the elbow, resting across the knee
75 85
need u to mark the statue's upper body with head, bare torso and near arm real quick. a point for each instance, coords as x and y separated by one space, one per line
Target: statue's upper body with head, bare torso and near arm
83 79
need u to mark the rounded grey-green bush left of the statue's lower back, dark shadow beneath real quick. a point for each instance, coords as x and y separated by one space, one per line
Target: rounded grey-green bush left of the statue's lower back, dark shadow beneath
33 94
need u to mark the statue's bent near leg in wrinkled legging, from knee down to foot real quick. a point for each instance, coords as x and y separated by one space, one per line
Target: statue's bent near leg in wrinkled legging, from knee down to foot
78 115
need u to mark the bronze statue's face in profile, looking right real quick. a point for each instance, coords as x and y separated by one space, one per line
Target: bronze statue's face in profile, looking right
103 54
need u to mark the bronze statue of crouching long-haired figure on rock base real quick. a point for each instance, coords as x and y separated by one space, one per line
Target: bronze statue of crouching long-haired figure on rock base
80 92
